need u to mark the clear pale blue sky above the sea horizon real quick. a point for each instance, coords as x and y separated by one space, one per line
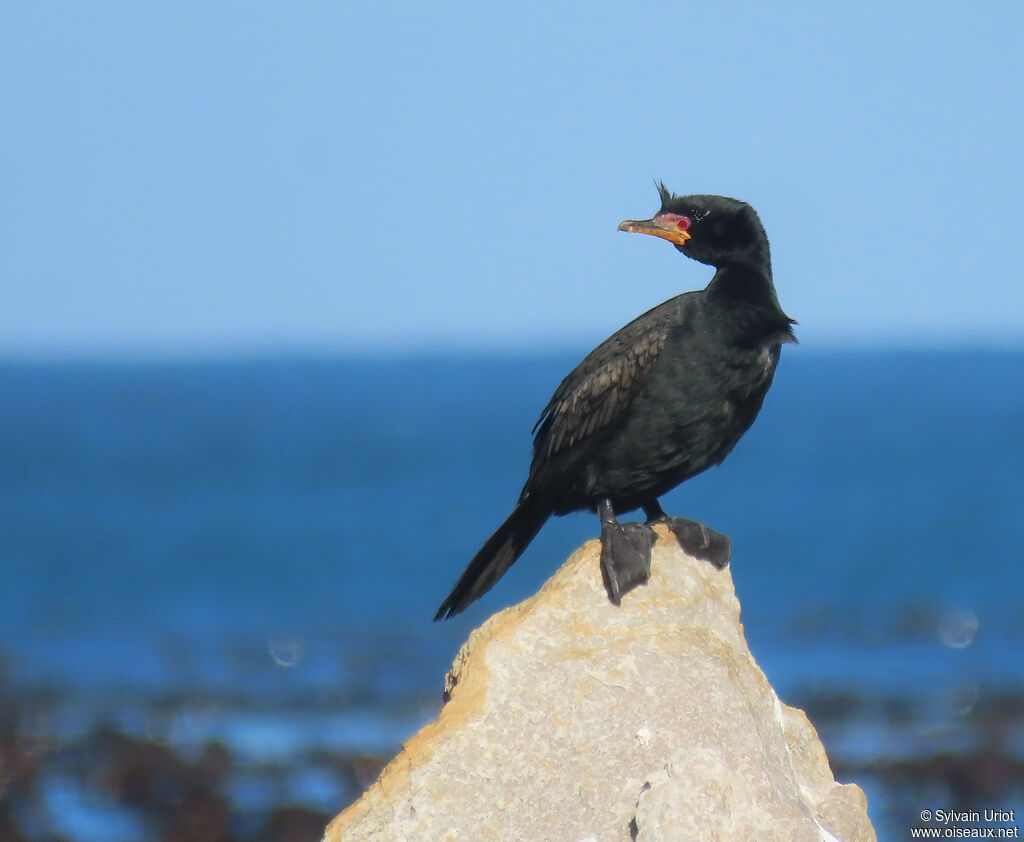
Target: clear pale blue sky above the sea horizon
240 178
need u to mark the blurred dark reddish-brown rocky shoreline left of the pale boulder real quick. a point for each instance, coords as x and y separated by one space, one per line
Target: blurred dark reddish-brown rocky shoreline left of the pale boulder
112 785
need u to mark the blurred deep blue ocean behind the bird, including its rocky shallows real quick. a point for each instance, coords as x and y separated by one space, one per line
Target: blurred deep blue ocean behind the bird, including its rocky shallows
221 577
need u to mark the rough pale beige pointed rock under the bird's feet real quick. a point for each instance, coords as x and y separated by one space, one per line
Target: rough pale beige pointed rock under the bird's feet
573 720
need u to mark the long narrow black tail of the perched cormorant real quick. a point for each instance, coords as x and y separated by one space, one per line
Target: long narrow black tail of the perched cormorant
495 558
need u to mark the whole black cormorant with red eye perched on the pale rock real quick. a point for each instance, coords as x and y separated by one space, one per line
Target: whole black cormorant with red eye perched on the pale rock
661 401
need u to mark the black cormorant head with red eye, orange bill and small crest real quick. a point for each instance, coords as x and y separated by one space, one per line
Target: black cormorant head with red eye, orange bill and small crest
714 230
